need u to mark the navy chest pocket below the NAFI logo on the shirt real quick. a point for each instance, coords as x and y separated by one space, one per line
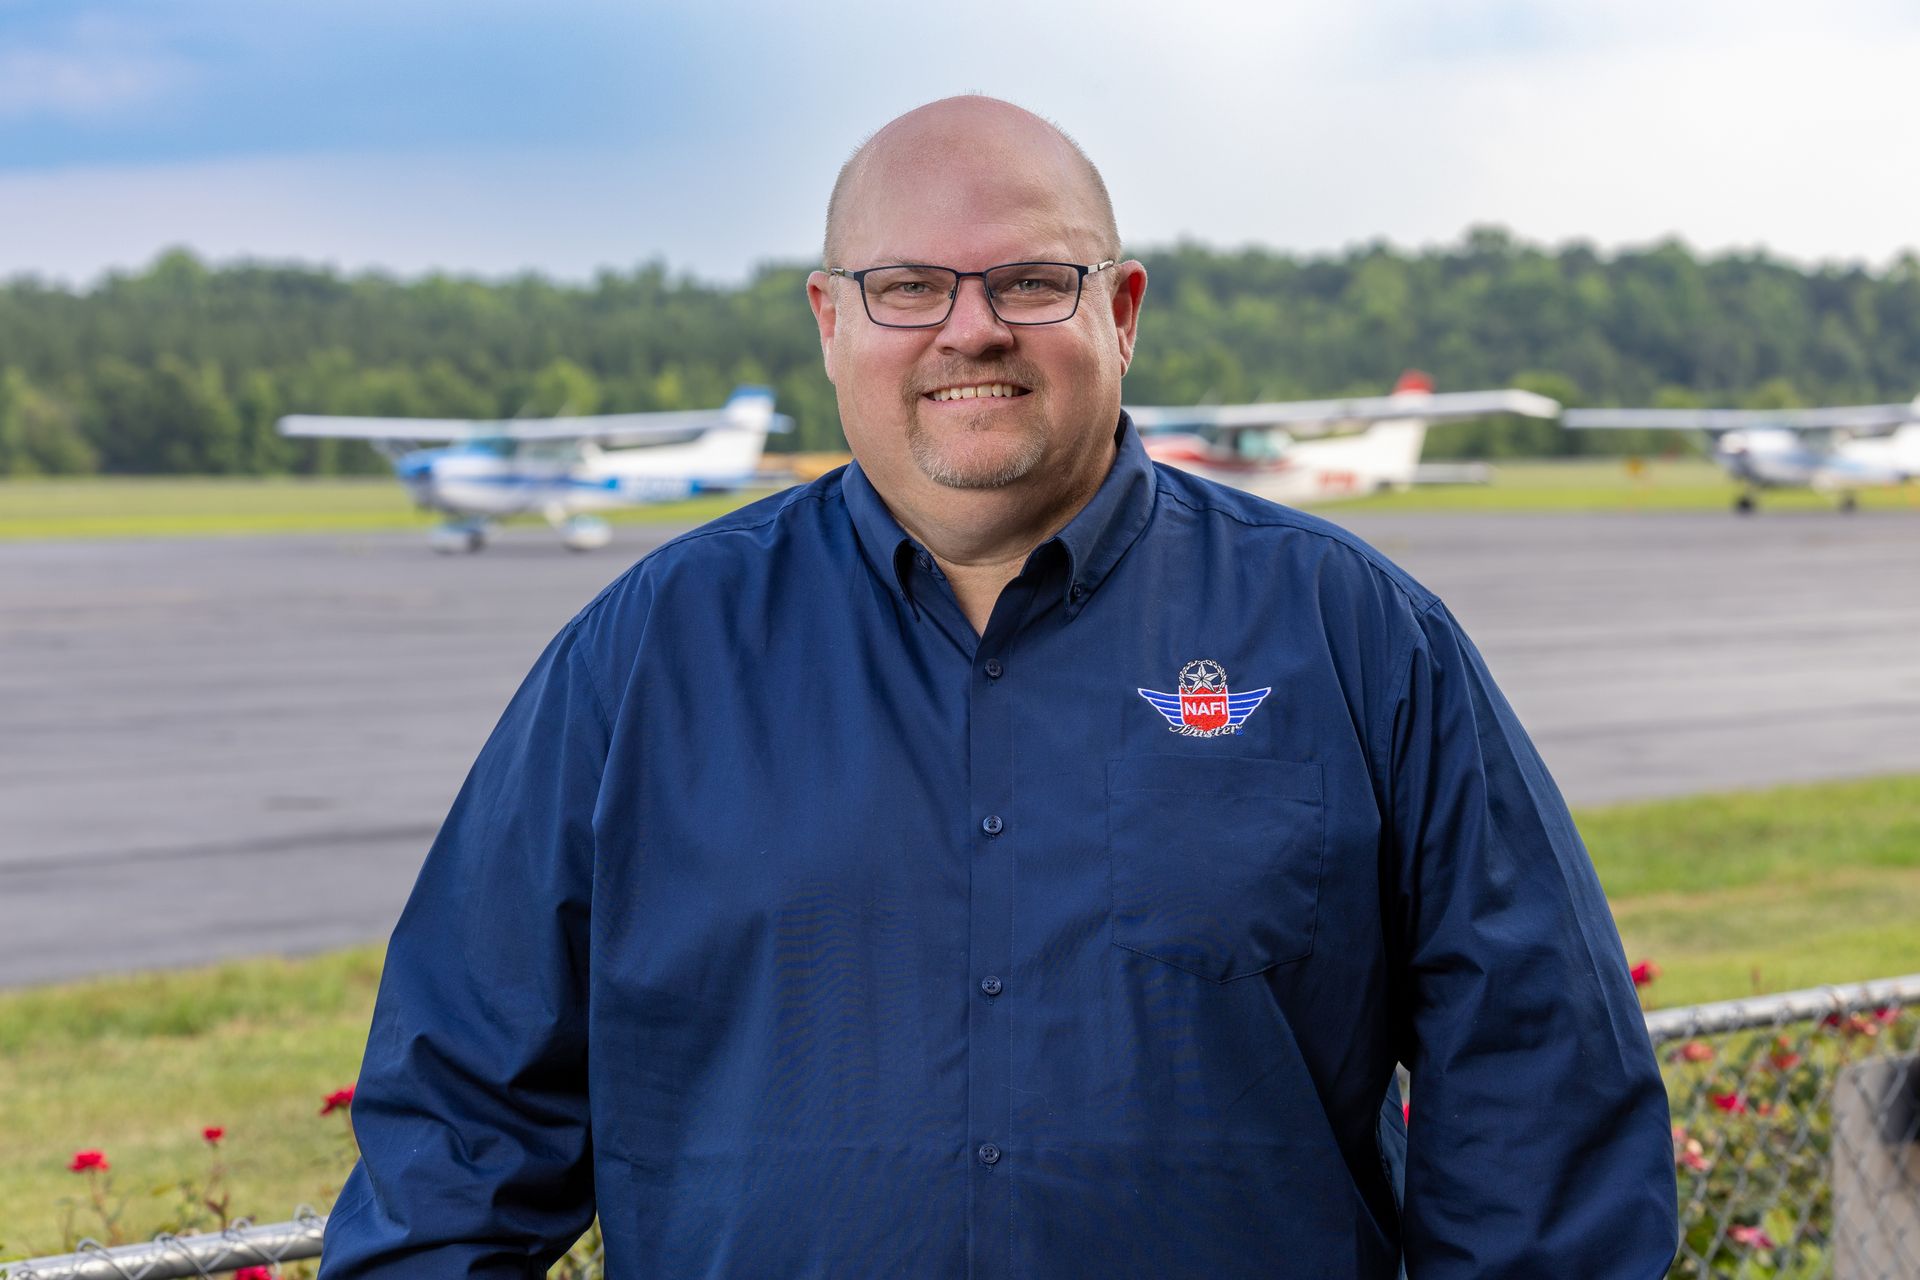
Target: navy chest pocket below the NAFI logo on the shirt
1214 863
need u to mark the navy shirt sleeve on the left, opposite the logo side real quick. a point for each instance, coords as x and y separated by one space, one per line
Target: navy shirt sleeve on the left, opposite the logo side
471 1106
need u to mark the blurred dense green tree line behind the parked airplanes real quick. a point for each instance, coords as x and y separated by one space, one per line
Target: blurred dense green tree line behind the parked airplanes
185 367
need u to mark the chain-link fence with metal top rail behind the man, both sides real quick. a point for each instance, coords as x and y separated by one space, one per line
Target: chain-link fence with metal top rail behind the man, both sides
1796 1126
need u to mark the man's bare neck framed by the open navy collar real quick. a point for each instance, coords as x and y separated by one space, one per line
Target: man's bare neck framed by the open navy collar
984 538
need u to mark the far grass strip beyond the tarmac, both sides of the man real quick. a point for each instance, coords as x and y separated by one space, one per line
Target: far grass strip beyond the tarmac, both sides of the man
156 508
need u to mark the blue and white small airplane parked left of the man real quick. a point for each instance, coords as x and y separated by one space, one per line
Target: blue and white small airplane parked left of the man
562 469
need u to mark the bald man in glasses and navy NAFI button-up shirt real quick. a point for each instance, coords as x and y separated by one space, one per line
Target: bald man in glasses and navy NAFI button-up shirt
1005 859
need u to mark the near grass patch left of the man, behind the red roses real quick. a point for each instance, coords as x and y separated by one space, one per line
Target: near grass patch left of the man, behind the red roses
141 1066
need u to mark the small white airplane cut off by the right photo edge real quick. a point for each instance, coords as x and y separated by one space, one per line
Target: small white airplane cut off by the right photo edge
1836 450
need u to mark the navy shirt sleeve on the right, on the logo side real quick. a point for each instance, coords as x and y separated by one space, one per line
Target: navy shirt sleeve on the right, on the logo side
1539 1141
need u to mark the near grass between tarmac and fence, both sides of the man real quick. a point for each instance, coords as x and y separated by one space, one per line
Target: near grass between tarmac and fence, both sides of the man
1798 886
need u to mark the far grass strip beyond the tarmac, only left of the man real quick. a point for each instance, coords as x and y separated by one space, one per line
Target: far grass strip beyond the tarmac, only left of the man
160 508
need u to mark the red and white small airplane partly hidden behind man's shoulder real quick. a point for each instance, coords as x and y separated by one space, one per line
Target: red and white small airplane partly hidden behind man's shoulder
1370 444
